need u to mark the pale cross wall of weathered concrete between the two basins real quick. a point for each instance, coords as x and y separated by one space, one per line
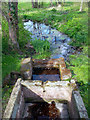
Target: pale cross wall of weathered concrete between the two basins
48 91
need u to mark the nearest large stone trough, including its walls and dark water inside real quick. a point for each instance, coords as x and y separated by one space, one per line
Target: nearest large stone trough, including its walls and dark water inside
62 97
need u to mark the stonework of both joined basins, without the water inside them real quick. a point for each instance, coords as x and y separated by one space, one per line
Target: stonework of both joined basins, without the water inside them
65 94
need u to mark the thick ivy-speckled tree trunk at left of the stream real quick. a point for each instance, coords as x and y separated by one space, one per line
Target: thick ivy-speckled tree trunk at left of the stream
11 15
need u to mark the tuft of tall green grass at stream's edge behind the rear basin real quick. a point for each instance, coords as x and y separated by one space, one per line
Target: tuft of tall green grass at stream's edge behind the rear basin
42 48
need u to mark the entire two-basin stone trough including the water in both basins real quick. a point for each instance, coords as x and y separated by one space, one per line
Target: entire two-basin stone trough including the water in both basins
51 97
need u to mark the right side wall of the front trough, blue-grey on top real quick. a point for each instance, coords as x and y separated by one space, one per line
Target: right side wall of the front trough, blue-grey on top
76 106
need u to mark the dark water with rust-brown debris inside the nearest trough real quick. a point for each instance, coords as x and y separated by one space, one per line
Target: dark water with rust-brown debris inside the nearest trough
46 111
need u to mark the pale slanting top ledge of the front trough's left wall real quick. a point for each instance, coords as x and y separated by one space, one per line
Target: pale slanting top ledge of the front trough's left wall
12 106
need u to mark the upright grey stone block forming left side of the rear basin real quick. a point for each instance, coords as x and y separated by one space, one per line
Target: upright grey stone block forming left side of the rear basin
26 69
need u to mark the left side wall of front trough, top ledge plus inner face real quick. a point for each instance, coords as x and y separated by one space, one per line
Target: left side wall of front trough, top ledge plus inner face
16 102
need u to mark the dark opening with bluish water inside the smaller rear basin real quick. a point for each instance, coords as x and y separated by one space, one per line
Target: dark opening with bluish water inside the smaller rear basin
46 74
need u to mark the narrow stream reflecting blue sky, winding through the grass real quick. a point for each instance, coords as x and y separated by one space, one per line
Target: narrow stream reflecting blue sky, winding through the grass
59 43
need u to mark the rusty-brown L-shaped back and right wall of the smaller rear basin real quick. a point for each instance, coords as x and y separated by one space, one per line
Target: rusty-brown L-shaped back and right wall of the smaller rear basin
53 63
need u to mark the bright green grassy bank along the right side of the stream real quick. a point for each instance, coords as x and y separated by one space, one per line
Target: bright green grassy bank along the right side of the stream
70 21
